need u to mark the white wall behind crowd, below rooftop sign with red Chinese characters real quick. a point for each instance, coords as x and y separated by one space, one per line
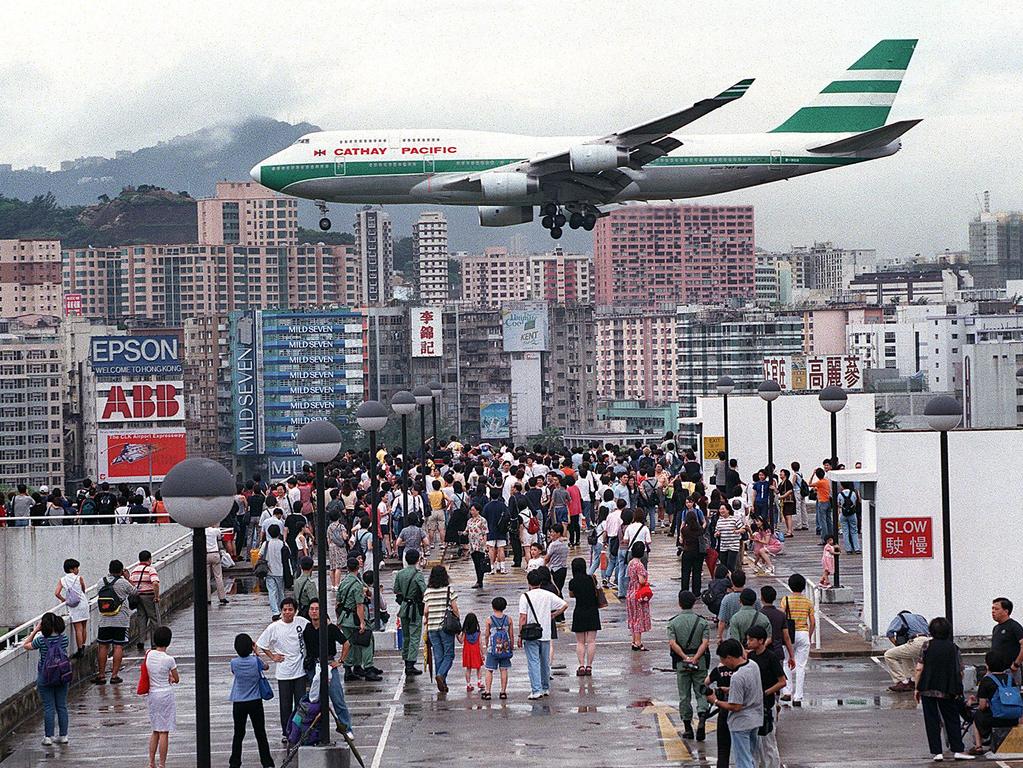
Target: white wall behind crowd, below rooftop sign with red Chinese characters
803 430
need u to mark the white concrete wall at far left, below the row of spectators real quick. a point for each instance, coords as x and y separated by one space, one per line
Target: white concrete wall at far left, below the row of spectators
32 560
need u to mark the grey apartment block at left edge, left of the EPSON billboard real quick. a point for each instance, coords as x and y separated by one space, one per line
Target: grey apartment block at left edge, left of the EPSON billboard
32 373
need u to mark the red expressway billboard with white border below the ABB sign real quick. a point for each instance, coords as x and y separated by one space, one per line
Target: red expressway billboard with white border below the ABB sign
136 456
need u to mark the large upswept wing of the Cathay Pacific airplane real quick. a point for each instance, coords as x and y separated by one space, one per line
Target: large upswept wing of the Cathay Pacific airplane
644 143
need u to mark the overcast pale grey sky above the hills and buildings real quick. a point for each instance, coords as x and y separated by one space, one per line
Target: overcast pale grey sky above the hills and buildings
91 79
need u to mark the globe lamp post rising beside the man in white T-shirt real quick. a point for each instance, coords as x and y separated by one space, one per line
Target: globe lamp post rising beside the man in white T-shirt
320 442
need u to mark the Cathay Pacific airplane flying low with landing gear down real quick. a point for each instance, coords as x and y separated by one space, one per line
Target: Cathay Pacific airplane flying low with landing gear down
576 180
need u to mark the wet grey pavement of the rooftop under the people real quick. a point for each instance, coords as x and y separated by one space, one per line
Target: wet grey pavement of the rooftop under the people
626 714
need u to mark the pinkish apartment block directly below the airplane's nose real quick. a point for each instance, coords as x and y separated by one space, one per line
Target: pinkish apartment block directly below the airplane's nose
244 213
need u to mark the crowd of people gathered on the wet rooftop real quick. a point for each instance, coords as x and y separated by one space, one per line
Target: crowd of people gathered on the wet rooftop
577 525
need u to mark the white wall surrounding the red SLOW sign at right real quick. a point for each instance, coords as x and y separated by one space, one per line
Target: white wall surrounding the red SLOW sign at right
987 535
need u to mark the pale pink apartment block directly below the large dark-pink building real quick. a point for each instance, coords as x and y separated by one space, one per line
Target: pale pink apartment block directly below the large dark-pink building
636 355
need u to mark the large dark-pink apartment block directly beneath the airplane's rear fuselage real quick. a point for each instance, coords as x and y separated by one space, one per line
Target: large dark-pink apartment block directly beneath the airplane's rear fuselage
644 255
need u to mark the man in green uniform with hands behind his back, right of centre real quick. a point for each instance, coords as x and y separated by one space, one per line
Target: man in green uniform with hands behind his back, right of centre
689 639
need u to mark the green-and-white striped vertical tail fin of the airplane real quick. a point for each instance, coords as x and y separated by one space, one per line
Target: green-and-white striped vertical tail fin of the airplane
861 99
